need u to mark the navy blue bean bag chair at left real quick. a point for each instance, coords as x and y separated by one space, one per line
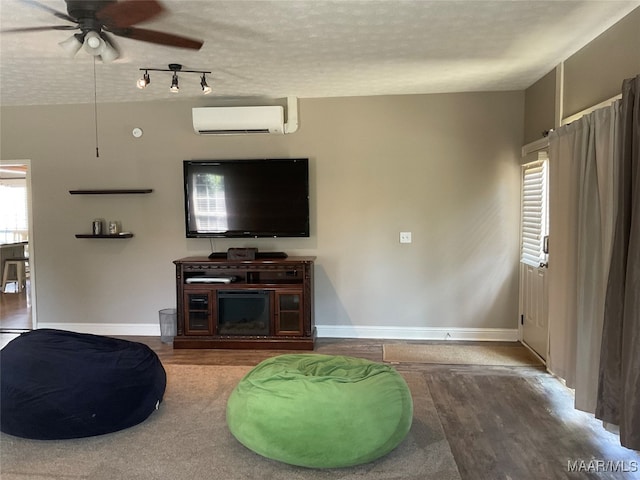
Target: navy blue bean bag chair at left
56 384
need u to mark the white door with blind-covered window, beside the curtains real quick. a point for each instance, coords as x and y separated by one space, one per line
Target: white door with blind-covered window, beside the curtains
533 257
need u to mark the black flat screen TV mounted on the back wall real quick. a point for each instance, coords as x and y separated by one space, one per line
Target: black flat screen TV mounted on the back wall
247 198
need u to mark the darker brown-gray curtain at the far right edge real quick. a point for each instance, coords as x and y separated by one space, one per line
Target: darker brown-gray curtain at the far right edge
618 400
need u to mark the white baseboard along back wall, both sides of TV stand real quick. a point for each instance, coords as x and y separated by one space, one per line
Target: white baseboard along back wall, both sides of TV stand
323 331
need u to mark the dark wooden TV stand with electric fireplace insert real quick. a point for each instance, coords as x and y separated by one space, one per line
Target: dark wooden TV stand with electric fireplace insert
218 299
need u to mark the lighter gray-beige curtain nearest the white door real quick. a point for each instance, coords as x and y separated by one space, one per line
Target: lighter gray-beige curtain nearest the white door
583 158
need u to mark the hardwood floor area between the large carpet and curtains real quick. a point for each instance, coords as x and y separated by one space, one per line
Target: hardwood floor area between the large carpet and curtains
518 426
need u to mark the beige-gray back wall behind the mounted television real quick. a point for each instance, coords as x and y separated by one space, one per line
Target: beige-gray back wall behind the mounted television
444 167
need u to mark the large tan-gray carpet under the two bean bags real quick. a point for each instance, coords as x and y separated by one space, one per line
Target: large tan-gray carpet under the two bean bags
187 438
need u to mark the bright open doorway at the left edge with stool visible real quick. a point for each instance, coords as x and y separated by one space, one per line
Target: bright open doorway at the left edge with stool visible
17 306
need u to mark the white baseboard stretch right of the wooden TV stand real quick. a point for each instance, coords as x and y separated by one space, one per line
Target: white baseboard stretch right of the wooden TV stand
418 333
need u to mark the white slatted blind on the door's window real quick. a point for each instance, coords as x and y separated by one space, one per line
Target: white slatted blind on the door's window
534 211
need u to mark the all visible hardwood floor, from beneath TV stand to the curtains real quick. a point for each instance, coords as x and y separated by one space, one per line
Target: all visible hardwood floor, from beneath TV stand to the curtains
512 423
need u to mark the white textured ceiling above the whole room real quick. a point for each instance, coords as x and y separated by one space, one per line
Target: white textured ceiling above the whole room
308 48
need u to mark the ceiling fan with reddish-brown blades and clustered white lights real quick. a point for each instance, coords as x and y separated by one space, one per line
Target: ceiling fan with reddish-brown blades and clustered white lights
97 20
